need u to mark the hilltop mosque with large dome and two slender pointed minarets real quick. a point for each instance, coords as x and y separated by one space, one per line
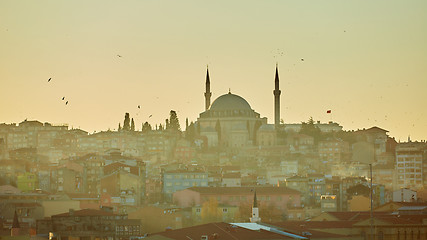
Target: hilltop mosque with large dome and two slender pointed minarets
230 121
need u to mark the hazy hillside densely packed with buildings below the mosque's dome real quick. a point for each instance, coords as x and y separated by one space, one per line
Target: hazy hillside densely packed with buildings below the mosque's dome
162 177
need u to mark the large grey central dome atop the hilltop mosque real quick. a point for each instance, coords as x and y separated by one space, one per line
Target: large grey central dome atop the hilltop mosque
230 102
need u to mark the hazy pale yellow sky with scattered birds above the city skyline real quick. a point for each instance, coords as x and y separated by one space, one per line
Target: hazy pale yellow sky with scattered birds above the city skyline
364 60
